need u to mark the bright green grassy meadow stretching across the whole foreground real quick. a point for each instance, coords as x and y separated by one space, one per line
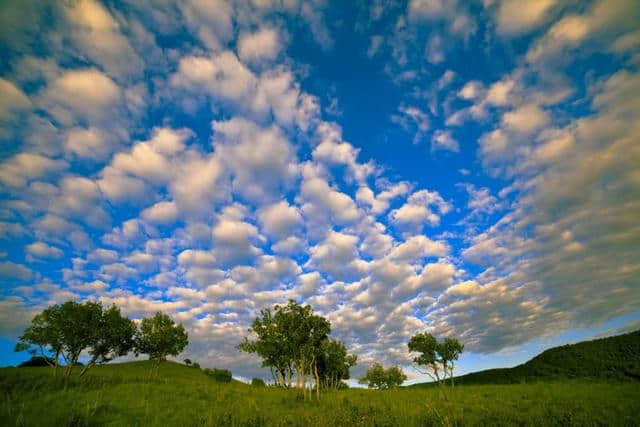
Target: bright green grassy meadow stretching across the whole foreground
130 394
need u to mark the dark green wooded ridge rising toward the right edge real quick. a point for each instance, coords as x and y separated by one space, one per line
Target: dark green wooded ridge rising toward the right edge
614 358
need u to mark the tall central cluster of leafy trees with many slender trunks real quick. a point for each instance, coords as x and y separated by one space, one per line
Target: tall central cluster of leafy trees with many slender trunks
294 343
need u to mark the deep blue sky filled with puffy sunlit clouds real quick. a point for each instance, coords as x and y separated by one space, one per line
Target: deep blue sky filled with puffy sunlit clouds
466 168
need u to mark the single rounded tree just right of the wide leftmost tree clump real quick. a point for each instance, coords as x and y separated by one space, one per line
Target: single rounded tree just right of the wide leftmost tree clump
159 337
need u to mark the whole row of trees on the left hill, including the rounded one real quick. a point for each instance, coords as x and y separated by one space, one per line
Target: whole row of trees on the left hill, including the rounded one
69 329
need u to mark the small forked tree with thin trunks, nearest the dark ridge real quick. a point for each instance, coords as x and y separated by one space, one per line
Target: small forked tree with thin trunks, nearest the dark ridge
436 359
